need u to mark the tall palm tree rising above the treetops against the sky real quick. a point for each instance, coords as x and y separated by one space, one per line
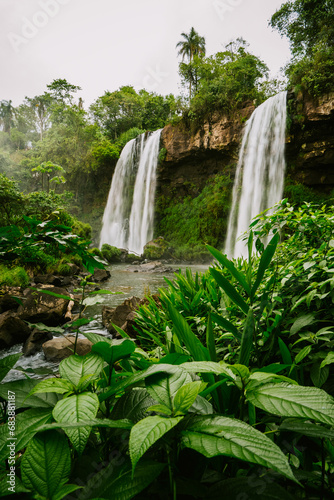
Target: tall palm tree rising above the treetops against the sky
192 45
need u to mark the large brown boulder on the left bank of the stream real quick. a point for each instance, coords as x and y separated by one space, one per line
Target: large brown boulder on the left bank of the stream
40 307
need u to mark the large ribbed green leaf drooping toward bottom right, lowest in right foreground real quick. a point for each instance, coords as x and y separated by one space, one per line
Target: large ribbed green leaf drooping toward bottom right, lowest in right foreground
217 435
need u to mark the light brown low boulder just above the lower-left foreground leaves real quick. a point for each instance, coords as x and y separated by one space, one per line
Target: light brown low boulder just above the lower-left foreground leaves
62 347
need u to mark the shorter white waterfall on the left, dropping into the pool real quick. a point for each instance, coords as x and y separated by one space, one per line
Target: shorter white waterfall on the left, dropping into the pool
129 213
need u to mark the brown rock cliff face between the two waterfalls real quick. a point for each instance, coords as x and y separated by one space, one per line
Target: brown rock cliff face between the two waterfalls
192 157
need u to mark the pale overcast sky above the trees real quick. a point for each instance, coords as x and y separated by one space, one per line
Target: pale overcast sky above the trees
103 44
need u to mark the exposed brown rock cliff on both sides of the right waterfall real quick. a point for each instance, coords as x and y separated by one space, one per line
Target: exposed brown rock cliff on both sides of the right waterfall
191 158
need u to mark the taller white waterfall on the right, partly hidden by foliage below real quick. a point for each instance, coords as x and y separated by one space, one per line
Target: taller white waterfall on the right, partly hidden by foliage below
259 178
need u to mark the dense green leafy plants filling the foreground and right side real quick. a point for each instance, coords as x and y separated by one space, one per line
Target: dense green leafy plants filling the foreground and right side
230 388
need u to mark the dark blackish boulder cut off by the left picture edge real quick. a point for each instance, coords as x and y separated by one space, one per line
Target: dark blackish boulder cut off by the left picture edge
13 330
